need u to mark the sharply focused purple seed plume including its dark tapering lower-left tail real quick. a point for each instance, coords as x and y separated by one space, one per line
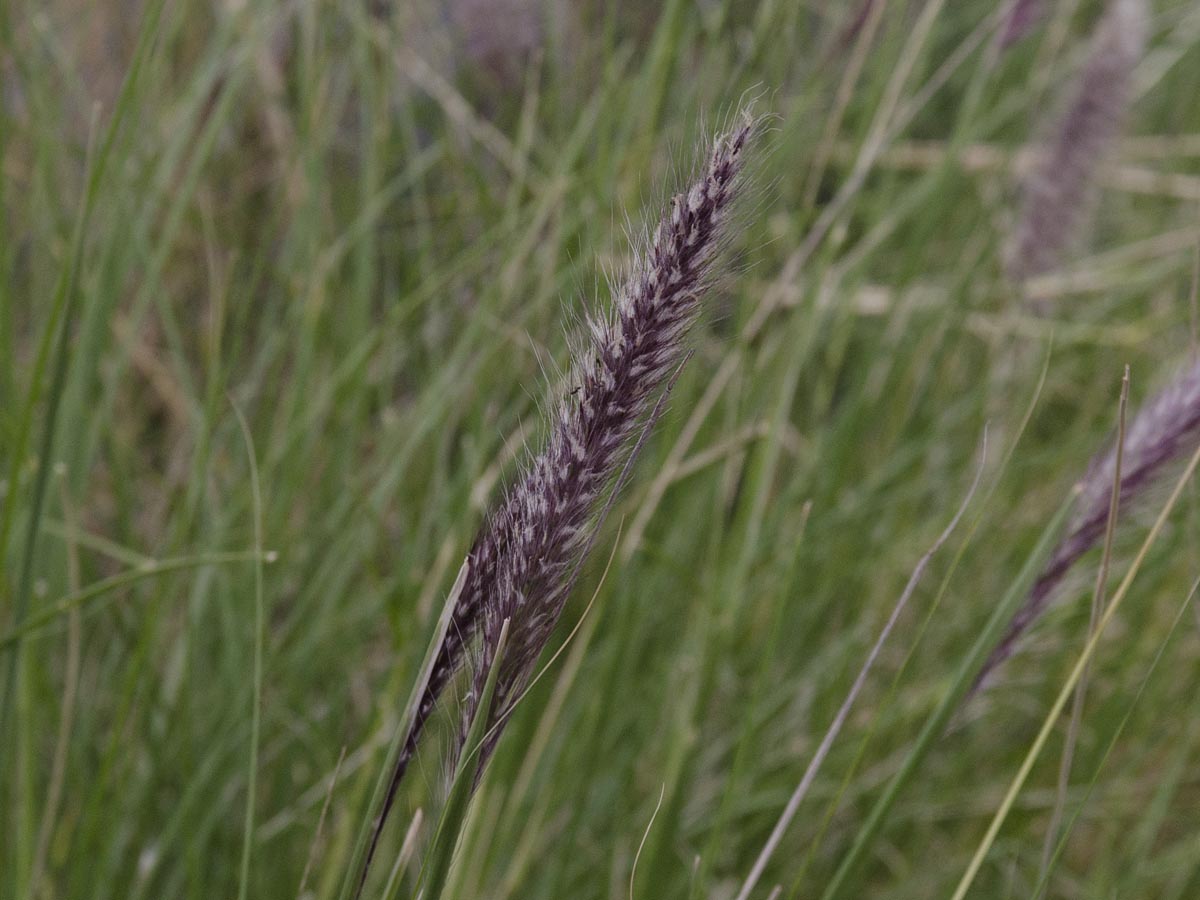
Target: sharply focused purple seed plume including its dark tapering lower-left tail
526 559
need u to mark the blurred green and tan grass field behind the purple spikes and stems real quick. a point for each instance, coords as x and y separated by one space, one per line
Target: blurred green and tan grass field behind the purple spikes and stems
369 231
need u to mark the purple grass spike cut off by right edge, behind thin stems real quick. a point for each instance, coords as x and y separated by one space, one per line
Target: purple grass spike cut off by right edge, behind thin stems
1166 430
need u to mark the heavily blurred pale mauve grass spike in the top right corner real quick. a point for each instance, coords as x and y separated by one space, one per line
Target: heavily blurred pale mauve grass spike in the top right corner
1060 190
